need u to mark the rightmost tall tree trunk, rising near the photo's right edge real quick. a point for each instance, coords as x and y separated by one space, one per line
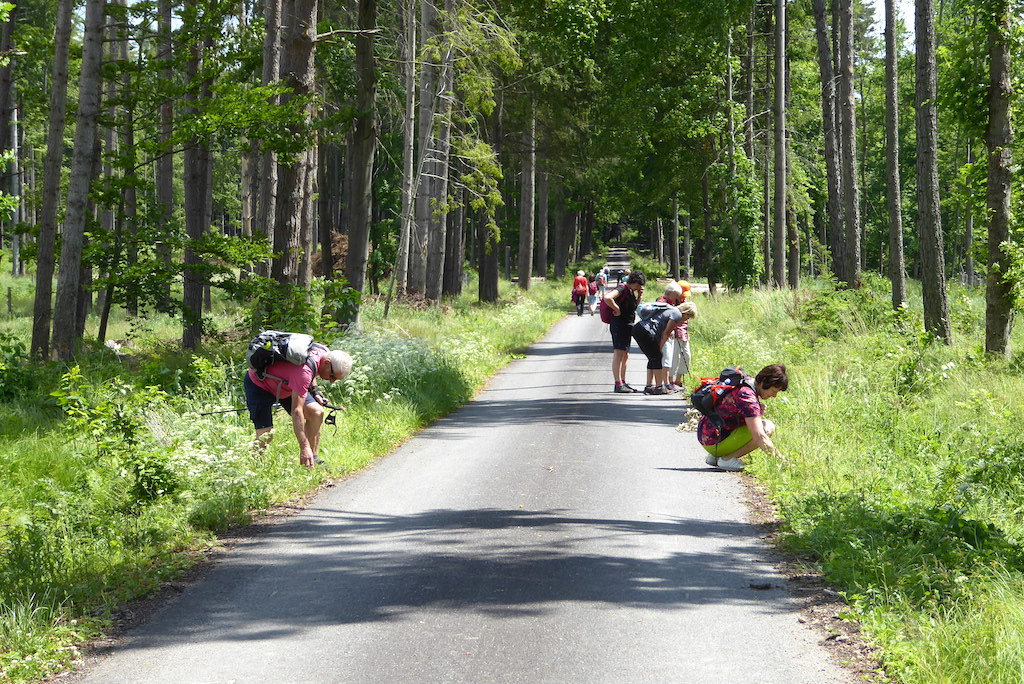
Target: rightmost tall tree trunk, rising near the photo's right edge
999 142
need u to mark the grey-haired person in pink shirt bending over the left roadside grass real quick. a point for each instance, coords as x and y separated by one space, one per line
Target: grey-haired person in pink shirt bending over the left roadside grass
284 382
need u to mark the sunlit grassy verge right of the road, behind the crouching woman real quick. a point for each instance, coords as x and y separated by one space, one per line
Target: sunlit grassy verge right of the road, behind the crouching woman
905 471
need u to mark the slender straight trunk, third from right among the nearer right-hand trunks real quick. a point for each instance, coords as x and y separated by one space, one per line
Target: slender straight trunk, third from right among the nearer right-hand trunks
893 190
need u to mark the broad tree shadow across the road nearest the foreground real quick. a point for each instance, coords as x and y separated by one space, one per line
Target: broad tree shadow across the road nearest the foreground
331 569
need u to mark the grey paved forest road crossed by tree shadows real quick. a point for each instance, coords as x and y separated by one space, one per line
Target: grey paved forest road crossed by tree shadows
549 532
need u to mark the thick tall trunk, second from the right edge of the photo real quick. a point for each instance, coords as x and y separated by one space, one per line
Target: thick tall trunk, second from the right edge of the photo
929 215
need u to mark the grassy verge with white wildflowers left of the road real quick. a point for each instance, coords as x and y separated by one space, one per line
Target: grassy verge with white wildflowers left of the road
114 481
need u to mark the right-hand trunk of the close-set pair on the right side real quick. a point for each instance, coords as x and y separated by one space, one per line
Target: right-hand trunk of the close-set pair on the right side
848 167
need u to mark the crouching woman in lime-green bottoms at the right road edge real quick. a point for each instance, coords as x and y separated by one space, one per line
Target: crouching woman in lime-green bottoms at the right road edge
740 412
